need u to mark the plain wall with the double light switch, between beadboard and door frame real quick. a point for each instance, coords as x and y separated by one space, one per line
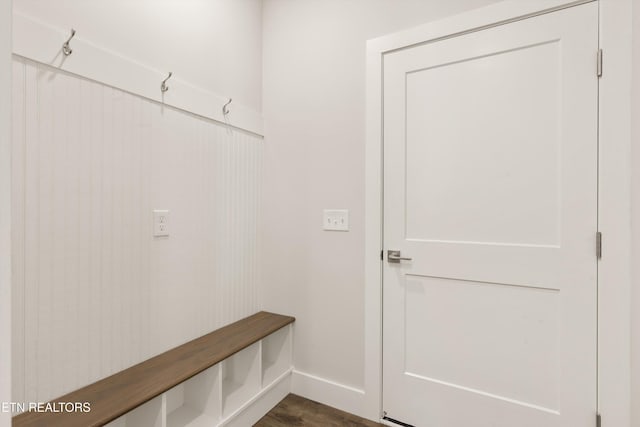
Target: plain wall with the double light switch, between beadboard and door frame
314 107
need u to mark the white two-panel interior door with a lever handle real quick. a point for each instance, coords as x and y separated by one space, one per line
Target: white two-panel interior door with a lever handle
490 181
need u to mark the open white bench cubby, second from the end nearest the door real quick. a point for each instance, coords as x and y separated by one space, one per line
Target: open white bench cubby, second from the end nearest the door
240 378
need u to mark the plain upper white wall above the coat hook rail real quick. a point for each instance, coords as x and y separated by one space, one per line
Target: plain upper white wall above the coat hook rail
213 44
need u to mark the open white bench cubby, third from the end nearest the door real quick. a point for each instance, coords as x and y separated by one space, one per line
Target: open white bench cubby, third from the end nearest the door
195 402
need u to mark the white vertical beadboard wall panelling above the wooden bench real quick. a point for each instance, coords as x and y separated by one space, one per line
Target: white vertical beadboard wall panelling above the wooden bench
94 291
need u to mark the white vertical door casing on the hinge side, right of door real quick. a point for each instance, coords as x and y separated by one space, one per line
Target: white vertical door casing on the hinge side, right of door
614 217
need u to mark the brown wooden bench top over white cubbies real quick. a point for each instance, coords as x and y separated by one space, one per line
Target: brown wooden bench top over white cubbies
118 394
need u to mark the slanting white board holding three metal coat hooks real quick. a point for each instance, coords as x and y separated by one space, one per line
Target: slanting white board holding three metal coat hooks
42 43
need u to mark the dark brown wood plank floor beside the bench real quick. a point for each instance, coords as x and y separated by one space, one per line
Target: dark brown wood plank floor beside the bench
295 411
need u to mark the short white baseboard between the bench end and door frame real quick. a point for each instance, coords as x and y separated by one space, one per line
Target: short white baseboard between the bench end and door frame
340 396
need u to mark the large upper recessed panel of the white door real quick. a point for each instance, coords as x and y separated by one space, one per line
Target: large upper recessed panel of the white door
456 191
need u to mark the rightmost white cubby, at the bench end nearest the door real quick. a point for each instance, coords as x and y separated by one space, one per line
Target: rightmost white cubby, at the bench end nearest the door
276 355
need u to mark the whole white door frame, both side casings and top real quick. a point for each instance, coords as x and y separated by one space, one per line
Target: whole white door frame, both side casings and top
614 193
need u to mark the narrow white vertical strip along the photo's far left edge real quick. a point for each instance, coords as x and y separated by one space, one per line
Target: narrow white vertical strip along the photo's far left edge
5 210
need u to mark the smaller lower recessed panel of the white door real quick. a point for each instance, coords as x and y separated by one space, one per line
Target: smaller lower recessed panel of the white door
523 325
